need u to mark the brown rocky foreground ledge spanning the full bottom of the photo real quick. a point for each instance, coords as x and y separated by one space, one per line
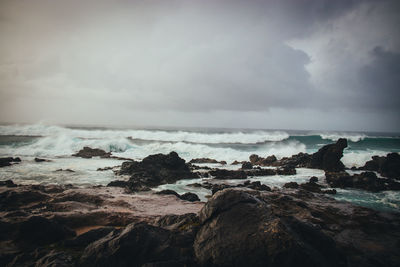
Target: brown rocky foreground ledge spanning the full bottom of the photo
236 227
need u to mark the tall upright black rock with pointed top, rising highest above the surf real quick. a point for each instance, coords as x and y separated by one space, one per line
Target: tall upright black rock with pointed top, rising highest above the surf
328 157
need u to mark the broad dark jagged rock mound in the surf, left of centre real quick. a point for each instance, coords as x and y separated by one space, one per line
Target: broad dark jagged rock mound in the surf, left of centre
155 170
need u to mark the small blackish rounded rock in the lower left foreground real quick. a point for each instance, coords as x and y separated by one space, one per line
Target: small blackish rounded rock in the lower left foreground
41 231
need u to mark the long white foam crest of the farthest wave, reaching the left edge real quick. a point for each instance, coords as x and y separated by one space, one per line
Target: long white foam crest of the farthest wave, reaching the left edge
152 135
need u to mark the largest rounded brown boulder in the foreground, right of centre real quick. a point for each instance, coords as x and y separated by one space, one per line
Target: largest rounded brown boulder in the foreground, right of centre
239 229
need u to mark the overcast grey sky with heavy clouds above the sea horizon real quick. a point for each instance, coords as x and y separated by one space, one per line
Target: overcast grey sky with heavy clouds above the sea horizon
279 64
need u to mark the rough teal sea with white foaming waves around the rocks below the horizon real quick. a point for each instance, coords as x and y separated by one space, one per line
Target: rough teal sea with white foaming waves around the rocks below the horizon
58 143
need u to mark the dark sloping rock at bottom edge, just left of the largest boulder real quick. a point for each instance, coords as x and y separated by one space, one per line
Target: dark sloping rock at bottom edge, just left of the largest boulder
140 244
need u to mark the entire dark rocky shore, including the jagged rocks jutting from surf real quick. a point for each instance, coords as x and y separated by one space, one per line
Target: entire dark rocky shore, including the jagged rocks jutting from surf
127 223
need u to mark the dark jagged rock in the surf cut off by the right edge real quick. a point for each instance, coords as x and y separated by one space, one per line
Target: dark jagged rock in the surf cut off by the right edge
388 166
